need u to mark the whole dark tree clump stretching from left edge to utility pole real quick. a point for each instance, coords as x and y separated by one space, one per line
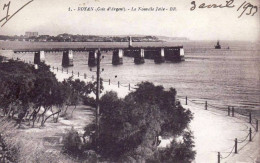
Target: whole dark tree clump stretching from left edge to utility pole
30 93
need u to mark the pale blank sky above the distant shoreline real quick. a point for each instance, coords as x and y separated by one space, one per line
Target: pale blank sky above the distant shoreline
52 17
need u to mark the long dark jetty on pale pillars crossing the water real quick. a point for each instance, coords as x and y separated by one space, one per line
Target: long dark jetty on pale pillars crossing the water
160 54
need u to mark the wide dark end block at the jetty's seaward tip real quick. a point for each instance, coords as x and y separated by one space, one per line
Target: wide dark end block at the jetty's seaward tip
174 54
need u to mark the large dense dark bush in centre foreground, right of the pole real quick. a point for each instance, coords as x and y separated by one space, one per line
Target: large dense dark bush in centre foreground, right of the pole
130 127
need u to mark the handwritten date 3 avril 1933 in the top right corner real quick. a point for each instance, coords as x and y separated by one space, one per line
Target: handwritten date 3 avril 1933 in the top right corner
246 7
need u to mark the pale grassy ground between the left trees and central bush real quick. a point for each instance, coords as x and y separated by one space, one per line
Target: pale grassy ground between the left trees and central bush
45 144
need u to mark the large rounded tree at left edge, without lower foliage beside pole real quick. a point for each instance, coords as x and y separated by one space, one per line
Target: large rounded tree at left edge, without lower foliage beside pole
25 90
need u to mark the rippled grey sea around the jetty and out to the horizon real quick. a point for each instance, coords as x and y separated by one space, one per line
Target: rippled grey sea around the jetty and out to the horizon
224 77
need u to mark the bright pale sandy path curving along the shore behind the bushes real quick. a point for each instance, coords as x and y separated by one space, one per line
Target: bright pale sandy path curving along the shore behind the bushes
213 130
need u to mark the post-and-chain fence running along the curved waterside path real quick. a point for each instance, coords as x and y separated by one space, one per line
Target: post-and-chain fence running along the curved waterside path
231 111
